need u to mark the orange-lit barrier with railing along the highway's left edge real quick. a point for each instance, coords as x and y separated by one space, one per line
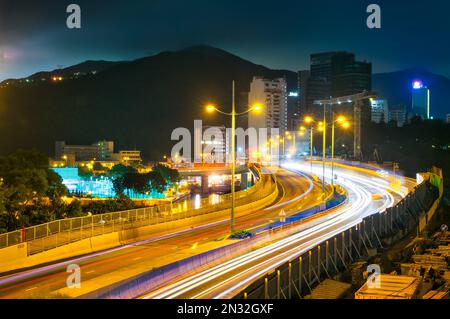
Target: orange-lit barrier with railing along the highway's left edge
60 232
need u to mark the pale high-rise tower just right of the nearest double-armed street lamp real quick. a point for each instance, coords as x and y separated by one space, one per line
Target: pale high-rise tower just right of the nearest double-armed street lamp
272 95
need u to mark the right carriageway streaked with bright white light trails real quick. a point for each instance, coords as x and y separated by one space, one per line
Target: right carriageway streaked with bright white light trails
368 194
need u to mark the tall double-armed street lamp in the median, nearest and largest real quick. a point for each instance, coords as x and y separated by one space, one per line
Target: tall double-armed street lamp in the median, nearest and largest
212 108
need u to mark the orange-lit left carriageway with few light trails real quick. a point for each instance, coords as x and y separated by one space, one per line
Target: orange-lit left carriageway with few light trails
103 268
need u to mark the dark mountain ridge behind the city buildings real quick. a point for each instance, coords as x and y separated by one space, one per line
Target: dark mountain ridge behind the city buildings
138 103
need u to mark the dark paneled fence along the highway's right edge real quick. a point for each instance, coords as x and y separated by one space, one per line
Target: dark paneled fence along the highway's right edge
299 276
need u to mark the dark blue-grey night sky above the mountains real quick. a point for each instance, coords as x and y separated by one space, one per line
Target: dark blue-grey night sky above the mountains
277 34
